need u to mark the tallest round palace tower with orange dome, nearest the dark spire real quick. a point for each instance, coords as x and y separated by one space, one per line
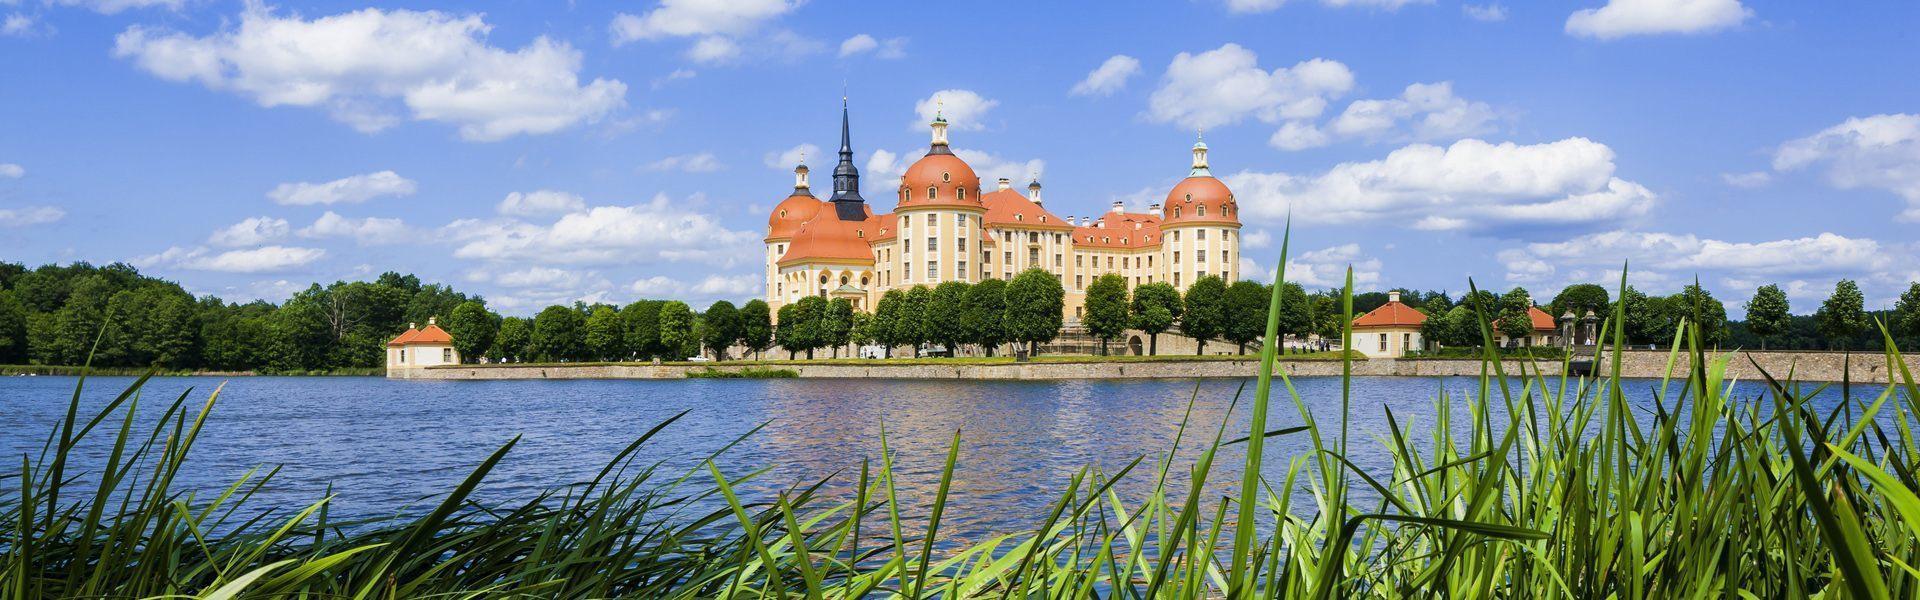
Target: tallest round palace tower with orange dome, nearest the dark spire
940 218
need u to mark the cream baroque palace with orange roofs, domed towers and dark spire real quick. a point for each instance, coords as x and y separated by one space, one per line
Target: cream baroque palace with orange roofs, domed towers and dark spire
946 228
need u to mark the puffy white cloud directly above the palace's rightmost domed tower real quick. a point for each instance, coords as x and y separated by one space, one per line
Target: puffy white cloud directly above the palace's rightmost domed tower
1228 86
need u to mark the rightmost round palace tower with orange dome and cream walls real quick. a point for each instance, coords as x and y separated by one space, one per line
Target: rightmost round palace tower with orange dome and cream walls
1201 228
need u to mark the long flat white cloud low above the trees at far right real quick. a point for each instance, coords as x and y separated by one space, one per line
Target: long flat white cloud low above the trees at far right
1689 255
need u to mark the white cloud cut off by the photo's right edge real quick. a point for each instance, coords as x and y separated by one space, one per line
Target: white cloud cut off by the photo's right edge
1865 153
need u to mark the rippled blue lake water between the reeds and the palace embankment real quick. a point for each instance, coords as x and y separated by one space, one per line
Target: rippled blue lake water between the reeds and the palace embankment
387 445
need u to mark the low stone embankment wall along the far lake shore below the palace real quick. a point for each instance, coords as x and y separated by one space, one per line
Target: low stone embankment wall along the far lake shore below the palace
1646 364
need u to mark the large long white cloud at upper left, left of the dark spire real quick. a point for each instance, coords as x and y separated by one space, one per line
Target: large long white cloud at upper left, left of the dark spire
358 66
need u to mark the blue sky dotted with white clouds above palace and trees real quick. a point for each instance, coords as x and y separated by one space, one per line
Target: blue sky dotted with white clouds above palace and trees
608 151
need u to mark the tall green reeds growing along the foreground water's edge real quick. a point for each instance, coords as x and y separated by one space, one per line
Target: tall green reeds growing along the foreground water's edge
1560 487
